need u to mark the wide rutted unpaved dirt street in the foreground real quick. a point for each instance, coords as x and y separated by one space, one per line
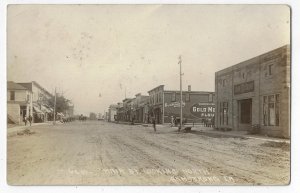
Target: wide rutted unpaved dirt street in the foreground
101 153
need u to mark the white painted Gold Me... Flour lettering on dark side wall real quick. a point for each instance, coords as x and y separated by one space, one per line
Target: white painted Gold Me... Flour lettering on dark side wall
203 110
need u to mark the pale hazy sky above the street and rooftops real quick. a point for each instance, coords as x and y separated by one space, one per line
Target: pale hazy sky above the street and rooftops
94 54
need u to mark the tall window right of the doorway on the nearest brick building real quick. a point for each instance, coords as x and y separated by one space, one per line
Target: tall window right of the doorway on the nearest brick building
271 110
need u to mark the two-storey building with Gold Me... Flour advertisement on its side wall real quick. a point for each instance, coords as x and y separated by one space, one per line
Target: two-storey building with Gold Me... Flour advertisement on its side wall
198 106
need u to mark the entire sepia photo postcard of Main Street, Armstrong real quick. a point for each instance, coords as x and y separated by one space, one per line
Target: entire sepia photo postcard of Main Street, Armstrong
157 94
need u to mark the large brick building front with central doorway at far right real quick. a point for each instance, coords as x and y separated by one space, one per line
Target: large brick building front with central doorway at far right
256 93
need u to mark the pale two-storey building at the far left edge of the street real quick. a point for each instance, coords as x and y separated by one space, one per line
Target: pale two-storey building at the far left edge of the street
19 102
